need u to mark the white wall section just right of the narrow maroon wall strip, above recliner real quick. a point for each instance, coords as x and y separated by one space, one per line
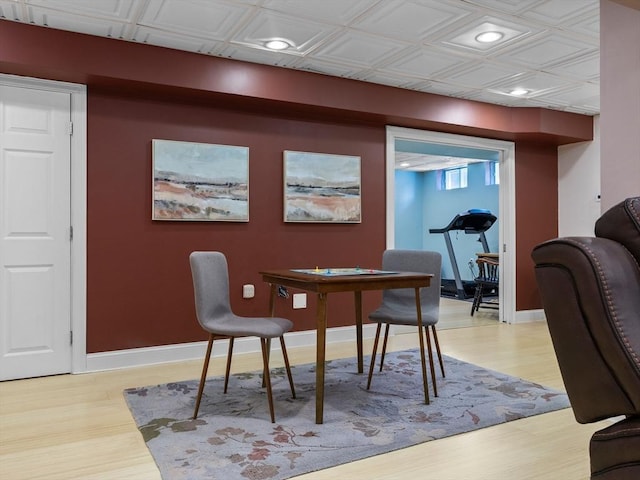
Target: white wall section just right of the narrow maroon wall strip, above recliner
579 186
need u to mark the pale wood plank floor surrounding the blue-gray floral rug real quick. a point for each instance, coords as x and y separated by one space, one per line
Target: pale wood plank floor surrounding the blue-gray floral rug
78 426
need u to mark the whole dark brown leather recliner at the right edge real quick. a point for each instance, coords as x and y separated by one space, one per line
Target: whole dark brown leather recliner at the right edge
590 291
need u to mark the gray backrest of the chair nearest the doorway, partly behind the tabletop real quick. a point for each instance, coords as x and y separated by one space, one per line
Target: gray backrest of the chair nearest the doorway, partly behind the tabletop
421 261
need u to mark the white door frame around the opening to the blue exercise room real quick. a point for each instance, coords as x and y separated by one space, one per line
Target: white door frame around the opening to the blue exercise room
506 215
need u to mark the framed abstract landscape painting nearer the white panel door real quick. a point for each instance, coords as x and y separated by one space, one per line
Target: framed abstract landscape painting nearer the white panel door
200 181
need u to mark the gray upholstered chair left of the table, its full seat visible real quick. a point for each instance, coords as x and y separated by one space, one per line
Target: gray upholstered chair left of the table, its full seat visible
213 310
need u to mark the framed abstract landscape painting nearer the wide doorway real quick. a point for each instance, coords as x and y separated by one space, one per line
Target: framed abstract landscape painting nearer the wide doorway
321 188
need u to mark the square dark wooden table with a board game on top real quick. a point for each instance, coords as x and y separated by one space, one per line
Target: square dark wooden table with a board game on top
325 281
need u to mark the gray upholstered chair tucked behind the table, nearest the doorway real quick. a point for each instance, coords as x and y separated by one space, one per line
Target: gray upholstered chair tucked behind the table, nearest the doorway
399 307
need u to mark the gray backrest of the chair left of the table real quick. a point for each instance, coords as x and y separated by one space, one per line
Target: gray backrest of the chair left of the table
210 275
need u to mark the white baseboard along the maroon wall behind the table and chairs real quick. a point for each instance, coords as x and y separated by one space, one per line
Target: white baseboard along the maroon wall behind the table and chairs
137 357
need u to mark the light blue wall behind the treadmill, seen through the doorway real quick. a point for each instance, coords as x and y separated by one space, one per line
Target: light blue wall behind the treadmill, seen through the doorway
419 206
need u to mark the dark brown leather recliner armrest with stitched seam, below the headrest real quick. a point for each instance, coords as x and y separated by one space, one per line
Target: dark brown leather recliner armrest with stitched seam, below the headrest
590 291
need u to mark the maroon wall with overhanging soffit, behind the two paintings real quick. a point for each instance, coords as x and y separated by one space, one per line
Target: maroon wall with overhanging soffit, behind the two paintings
138 281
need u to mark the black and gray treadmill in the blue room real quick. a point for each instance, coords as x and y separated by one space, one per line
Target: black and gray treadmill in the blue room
473 222
